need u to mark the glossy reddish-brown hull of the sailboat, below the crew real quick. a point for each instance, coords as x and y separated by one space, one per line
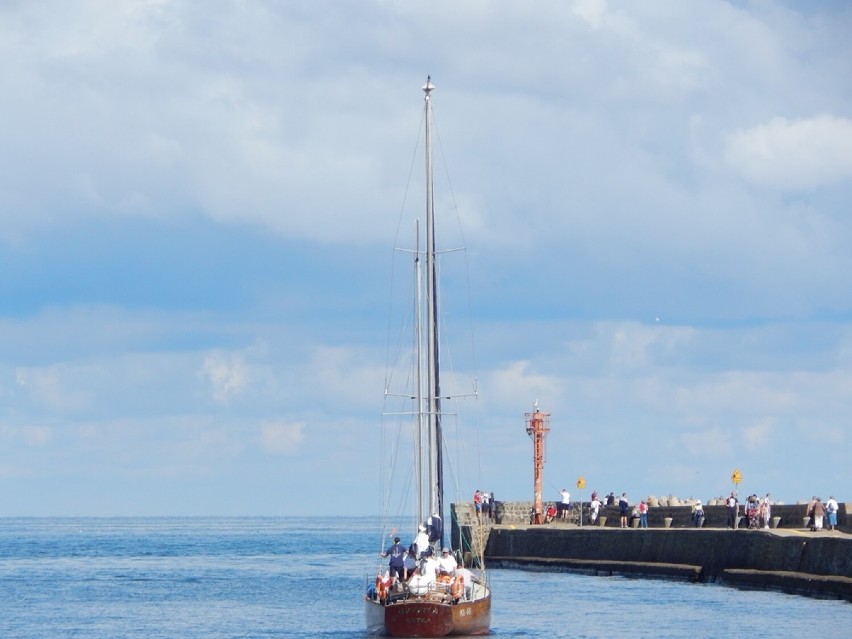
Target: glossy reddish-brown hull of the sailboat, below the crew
422 617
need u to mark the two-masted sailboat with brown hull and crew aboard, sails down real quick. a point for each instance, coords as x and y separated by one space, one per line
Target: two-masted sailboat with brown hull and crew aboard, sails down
429 603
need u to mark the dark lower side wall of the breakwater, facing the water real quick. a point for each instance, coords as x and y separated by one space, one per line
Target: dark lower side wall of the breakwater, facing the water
812 564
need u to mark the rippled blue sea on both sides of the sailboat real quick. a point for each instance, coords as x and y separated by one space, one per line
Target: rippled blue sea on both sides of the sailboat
264 577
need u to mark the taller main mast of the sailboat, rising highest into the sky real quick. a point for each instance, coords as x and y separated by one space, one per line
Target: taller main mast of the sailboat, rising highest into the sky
433 402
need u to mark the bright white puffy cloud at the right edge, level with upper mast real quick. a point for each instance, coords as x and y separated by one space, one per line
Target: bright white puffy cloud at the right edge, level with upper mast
793 154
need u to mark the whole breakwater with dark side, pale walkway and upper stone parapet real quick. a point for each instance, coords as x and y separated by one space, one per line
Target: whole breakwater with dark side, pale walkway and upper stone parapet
788 558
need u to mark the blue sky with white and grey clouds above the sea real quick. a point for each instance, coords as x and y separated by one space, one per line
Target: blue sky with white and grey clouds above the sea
200 202
